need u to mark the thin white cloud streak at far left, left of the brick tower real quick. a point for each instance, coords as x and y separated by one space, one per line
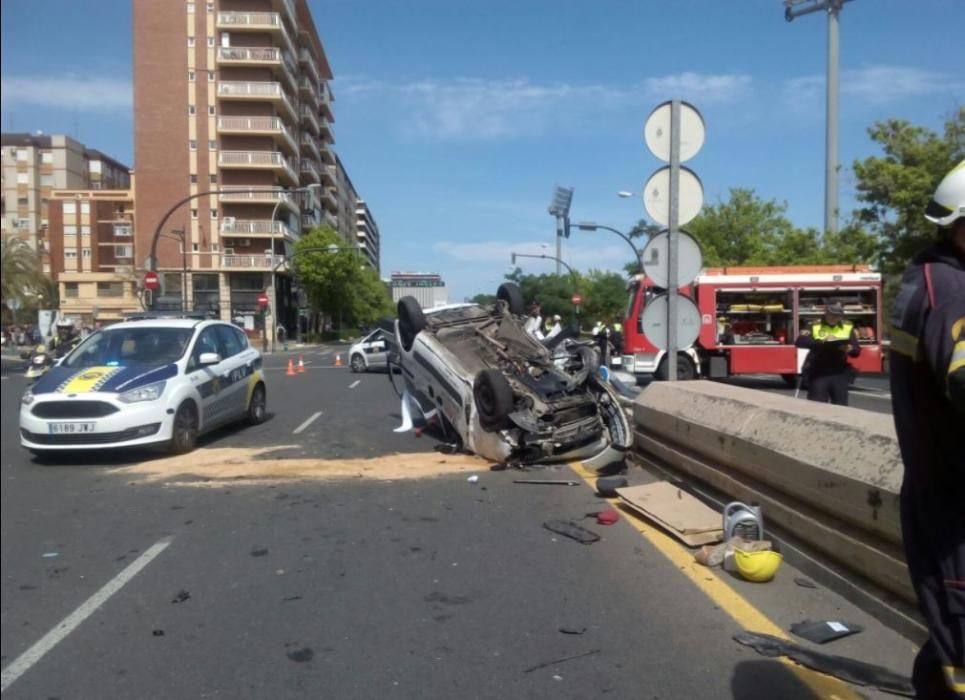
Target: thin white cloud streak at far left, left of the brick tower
69 92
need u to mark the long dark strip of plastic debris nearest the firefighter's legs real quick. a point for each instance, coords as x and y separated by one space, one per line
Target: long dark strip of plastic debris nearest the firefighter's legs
857 672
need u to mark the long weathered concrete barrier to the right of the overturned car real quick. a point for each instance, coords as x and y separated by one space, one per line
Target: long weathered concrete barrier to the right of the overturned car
829 475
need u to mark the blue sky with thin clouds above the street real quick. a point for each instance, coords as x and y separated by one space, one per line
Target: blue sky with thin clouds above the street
456 119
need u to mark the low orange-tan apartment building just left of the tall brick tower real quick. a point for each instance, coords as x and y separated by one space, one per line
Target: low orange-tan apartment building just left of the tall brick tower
91 244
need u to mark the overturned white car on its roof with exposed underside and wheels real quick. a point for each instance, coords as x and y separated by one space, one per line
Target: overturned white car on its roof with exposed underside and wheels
500 393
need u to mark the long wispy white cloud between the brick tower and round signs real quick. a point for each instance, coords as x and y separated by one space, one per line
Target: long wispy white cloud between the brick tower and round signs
478 109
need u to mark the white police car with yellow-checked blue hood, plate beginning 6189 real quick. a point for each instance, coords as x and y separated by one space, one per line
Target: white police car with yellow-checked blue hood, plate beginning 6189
156 381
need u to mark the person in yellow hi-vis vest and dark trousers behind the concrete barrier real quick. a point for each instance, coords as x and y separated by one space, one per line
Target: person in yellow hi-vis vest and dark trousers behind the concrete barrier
831 341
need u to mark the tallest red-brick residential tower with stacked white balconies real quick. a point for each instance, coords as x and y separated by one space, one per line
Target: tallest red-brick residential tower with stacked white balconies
230 95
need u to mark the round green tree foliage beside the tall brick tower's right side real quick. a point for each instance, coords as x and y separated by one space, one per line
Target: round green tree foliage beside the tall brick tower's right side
336 280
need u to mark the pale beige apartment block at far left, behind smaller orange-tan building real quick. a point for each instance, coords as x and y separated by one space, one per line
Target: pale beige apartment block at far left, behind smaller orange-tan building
36 164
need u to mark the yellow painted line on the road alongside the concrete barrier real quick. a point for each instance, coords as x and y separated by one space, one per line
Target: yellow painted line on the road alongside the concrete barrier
726 598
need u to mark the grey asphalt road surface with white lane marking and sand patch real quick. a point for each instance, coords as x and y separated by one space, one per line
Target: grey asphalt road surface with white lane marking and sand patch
358 587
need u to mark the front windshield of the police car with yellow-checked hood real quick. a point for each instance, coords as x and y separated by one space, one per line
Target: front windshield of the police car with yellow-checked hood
130 347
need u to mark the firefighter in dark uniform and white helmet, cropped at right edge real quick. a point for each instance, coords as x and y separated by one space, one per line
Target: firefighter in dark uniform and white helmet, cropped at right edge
928 401
